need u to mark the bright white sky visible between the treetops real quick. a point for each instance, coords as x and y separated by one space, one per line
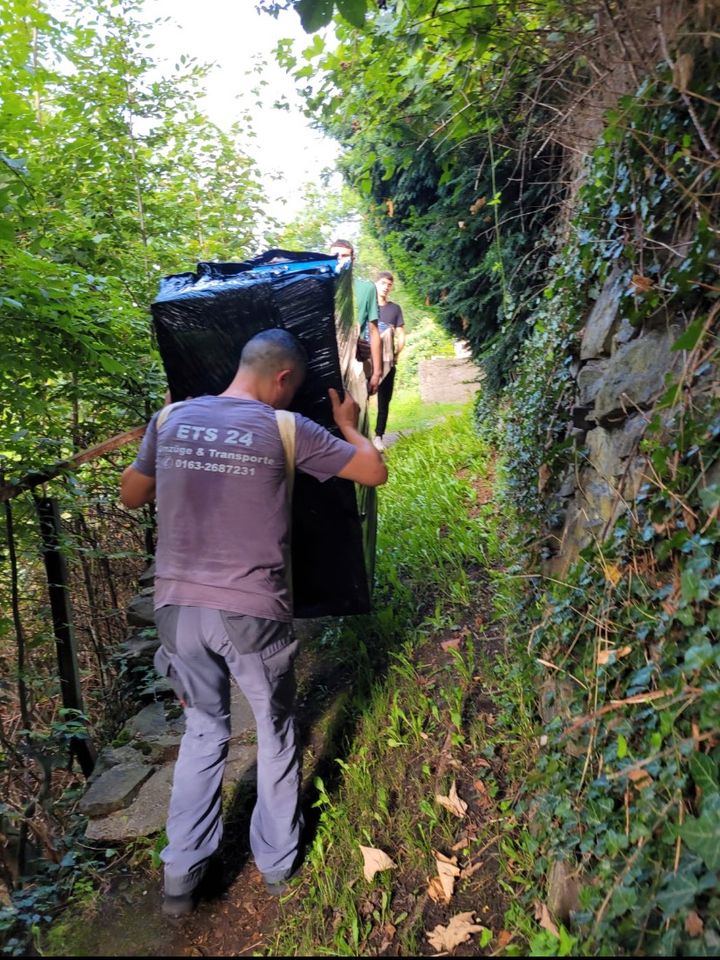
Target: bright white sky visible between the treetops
232 35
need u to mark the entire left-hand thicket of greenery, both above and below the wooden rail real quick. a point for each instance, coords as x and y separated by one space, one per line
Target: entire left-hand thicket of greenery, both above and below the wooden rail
110 177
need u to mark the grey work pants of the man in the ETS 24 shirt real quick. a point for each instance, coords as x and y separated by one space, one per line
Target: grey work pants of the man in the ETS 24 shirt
201 649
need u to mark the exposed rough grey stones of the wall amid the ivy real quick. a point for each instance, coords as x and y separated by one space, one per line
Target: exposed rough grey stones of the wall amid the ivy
620 371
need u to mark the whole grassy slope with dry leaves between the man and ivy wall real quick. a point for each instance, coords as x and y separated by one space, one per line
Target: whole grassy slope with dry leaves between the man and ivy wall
422 719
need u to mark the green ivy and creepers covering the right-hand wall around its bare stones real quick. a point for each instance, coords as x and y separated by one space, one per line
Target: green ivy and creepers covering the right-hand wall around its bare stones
626 785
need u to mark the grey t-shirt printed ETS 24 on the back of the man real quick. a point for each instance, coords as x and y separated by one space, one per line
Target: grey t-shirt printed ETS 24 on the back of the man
222 502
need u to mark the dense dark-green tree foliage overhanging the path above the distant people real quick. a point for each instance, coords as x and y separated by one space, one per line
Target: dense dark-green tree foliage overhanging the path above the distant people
435 138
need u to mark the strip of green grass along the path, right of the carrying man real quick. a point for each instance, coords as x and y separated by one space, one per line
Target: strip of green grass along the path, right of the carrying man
408 705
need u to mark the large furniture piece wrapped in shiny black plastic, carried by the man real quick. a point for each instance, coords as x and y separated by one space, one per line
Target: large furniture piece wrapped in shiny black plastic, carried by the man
202 322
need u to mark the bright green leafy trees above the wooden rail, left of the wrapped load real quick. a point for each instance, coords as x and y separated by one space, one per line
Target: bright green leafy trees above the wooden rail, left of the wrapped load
109 178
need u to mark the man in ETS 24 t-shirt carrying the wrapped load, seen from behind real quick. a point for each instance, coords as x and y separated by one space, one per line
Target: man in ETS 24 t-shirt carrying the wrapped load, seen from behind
217 467
